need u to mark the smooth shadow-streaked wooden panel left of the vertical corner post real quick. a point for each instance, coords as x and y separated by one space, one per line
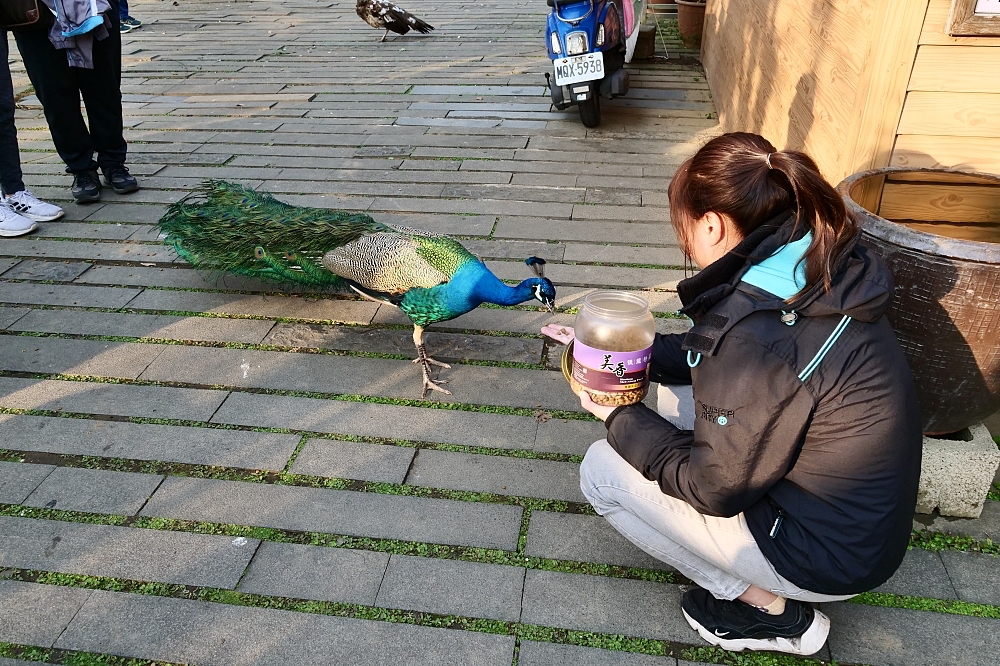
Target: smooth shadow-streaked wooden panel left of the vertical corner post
801 92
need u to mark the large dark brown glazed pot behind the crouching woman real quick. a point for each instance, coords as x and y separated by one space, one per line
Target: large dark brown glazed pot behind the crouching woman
946 305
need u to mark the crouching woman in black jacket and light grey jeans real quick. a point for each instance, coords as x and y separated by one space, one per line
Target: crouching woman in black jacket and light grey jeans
794 478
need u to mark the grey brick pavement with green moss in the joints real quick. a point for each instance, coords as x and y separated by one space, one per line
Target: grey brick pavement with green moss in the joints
197 469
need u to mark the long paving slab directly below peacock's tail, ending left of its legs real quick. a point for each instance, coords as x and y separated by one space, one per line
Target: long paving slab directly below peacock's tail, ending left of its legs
338 310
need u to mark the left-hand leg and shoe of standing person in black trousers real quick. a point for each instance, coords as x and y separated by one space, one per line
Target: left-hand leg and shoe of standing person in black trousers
56 87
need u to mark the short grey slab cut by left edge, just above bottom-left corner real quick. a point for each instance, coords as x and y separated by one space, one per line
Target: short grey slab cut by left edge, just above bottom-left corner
33 614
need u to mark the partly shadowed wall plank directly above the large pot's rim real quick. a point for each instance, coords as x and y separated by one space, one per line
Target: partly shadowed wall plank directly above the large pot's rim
969 154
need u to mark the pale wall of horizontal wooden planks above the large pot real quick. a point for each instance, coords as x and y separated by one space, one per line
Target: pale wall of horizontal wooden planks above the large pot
951 116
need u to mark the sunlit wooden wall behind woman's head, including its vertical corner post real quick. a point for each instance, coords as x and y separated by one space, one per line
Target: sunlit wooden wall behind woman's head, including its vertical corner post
824 76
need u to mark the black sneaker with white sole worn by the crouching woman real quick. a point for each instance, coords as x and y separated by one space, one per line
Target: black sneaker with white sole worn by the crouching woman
734 625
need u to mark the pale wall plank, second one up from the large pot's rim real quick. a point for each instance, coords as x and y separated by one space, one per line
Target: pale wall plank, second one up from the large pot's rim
953 114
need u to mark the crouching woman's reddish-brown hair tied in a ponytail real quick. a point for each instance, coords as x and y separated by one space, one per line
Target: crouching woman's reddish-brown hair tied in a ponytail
745 177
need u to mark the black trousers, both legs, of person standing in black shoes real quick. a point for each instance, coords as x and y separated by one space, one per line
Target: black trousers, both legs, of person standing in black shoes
59 88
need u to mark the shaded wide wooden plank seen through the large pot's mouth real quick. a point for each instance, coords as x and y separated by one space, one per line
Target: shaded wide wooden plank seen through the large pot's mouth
935 202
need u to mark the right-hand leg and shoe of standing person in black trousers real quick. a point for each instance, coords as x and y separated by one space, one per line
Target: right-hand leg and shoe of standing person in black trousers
101 89
